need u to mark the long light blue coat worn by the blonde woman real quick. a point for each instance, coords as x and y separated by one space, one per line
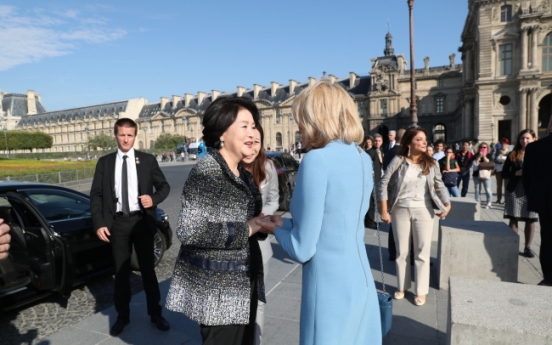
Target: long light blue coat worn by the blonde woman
326 234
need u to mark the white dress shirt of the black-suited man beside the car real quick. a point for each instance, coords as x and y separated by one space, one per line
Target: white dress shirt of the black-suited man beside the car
132 177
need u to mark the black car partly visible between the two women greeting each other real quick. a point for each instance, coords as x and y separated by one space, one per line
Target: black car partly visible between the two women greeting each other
286 167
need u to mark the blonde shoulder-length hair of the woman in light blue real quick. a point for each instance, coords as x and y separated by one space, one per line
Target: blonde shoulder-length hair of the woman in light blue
326 112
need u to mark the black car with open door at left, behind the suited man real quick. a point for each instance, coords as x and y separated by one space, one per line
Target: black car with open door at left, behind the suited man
54 246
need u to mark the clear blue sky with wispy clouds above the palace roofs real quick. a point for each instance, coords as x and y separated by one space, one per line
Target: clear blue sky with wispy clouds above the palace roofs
83 53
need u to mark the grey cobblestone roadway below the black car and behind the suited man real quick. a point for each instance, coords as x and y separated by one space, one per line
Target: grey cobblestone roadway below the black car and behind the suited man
46 316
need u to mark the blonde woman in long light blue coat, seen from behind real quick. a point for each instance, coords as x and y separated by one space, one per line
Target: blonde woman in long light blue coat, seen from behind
326 233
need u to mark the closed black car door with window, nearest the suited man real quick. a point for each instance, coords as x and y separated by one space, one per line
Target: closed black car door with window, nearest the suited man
68 215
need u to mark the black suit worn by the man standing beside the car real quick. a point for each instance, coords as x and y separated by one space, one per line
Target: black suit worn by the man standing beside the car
137 230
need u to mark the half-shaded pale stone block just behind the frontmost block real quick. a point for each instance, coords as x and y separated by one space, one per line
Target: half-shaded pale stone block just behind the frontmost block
478 250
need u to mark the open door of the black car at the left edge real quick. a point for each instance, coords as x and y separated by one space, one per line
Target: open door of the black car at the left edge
49 259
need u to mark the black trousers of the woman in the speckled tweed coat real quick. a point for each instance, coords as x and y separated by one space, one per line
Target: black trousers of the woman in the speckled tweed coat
233 334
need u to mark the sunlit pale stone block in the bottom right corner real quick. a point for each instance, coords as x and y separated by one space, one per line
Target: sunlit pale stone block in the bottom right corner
484 312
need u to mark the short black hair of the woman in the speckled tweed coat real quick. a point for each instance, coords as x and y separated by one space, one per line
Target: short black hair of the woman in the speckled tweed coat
221 114
